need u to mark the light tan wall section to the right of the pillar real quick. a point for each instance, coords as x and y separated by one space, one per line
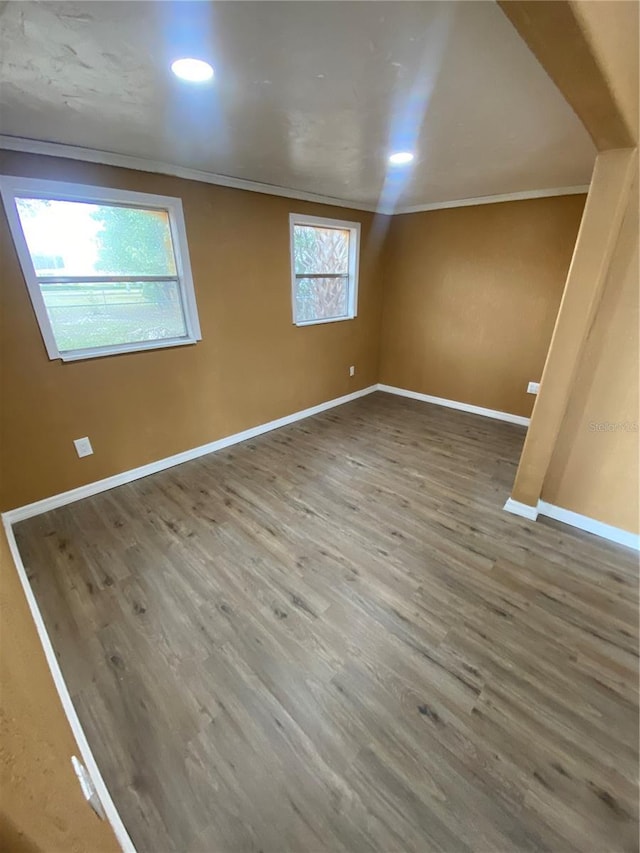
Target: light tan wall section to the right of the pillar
593 471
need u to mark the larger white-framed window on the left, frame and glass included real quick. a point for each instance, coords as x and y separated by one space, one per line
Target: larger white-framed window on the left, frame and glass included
107 270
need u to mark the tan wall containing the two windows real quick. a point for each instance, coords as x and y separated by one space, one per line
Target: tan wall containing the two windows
253 364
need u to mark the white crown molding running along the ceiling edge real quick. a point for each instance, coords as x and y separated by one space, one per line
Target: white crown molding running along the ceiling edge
142 164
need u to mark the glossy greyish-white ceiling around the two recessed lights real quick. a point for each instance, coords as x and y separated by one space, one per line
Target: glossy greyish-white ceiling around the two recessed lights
311 96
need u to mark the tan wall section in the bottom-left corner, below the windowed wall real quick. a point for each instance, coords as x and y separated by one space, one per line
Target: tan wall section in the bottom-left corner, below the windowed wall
41 805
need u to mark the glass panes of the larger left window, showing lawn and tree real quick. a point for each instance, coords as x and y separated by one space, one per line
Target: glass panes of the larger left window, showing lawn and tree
80 240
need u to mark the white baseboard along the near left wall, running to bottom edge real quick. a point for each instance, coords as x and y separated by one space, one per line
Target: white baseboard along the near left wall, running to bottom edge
70 712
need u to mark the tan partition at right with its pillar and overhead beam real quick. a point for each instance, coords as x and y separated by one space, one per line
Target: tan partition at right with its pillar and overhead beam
590 49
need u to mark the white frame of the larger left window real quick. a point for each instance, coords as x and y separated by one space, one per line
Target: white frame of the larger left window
13 187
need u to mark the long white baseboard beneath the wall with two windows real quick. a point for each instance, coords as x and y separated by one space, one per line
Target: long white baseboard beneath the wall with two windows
64 498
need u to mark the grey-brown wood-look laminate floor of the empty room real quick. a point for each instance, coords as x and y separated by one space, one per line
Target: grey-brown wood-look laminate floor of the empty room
332 639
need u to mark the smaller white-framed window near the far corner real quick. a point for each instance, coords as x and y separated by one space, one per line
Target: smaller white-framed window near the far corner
324 269
